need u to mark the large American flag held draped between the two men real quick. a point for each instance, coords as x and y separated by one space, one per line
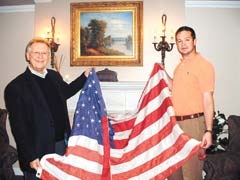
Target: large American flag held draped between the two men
147 144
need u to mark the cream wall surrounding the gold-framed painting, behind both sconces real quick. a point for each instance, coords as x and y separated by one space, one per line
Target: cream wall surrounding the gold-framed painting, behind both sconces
153 10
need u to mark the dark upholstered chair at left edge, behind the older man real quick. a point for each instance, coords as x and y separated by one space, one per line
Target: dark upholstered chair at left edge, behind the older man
8 154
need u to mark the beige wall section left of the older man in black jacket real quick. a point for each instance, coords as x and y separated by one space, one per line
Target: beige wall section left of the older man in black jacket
16 30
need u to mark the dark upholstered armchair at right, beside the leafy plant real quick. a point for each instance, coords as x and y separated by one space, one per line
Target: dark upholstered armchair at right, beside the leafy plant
226 165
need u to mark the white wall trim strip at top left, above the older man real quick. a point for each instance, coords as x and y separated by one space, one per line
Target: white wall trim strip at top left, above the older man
20 8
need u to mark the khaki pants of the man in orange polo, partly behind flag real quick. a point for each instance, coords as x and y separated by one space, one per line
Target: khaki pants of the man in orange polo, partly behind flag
192 170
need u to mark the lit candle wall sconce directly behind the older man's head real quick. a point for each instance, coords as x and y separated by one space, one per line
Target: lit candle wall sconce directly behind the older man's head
51 39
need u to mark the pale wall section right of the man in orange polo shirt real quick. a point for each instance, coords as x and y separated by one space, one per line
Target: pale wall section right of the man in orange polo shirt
218 37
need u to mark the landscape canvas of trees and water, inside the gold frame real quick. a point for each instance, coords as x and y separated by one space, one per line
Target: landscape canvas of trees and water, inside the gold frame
106 34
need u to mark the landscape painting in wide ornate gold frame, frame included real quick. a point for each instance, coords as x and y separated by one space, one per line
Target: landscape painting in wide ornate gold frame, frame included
106 33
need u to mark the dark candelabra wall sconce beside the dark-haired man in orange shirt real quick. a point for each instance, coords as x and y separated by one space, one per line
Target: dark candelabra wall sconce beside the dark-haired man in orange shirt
163 45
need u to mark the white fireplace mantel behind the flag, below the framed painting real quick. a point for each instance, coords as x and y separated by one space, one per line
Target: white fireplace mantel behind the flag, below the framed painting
119 97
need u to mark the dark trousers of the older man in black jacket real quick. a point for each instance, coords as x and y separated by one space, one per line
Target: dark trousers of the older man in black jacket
60 149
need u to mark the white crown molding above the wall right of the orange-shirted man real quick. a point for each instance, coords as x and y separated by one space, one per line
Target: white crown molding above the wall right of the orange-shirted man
213 4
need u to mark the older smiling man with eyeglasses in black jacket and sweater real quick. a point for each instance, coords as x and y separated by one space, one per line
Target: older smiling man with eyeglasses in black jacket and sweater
36 102
